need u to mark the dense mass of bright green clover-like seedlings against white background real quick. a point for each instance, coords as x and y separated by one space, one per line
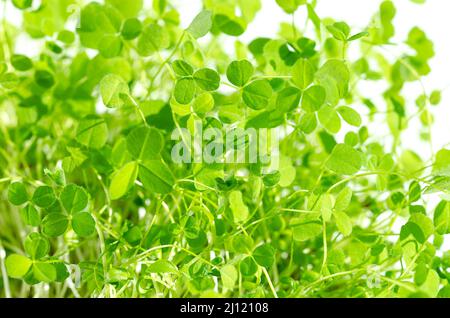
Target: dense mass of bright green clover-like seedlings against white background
93 205
